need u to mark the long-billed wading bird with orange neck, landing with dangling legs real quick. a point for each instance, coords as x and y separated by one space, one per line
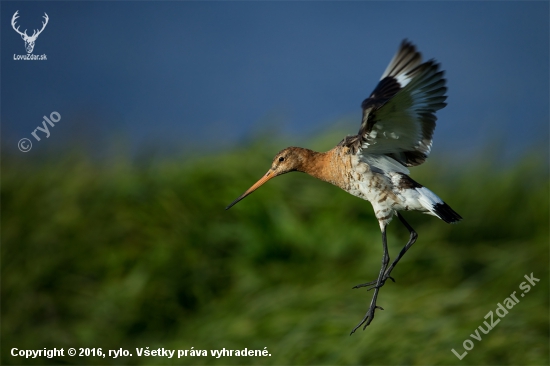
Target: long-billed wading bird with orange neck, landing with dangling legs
396 132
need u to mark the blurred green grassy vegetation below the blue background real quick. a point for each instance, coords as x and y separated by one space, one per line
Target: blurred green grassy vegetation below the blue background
142 254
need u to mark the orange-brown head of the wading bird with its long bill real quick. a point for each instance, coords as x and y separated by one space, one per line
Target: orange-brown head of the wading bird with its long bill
287 160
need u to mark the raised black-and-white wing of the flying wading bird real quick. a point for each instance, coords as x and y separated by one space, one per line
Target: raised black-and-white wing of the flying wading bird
399 116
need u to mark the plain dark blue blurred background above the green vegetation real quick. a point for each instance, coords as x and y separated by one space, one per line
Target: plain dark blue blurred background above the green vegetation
209 75
